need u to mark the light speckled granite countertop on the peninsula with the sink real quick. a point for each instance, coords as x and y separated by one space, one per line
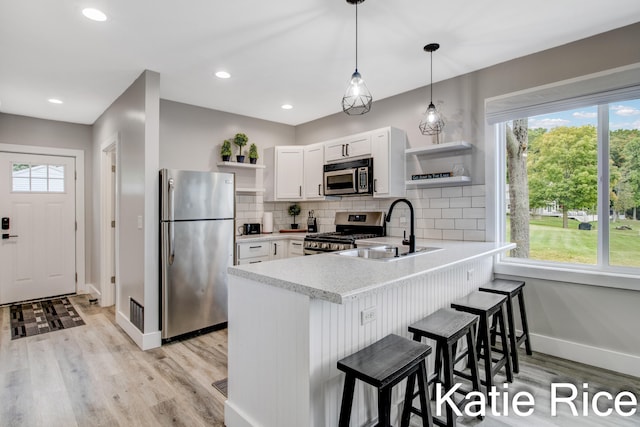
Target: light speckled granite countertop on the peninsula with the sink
337 278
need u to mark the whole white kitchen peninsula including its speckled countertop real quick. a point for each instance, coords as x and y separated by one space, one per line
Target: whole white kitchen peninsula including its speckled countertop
291 320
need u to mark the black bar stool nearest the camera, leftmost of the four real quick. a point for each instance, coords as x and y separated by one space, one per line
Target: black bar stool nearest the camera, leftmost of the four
384 364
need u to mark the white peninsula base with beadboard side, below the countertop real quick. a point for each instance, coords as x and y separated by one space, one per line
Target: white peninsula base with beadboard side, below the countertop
284 346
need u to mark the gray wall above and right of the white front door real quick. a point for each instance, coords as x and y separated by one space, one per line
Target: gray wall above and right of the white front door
21 130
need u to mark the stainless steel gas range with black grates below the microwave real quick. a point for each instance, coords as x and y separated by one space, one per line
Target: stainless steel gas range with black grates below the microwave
350 226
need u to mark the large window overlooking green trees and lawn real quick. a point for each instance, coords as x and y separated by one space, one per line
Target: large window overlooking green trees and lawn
555 208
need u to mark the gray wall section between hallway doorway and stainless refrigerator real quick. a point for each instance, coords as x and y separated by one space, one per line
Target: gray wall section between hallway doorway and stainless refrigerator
135 117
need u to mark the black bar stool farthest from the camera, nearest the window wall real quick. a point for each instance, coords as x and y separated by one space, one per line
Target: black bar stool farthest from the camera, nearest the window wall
512 289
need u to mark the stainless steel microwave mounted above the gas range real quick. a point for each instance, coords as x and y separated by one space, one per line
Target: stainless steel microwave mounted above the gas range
354 177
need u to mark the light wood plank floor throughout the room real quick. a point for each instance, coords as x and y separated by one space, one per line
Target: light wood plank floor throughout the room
94 375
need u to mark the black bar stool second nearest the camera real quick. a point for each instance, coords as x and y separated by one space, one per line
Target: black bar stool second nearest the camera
447 327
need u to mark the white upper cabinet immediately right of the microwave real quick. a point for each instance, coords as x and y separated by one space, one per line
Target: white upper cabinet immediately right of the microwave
387 148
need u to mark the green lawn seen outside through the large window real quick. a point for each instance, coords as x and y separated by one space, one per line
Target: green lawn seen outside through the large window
551 242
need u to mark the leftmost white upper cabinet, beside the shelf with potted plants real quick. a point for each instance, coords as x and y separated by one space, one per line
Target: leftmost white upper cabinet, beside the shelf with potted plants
284 173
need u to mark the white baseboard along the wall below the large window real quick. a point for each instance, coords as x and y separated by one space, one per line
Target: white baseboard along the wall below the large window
603 358
